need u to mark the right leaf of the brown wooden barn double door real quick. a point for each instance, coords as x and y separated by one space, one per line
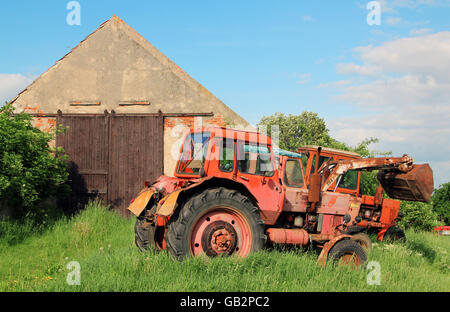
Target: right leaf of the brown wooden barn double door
136 156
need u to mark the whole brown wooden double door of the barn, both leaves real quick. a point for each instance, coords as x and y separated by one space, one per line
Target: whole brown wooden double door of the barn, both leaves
111 156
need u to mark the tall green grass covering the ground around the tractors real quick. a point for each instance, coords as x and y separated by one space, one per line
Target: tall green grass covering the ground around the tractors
103 243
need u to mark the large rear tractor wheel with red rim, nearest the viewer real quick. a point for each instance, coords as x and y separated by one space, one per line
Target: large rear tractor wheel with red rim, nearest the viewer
215 222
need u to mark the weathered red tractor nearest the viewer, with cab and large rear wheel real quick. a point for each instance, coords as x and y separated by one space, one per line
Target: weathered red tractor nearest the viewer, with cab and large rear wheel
228 197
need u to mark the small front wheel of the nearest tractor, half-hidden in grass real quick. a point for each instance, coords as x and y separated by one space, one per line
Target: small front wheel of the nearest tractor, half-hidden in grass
348 252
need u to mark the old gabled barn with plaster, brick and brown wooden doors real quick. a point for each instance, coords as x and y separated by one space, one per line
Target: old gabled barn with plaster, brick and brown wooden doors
125 106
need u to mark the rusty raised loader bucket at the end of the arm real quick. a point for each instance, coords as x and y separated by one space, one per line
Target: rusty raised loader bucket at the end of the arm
415 185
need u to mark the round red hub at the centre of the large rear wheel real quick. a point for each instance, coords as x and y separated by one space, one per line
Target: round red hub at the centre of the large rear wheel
219 237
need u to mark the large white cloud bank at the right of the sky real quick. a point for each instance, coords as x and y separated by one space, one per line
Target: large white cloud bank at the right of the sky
403 87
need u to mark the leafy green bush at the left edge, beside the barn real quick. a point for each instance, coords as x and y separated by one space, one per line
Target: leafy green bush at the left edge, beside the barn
30 170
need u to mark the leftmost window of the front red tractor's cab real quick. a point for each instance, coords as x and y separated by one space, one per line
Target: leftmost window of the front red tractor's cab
194 152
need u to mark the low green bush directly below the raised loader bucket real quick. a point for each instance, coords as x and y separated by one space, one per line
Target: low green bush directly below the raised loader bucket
419 216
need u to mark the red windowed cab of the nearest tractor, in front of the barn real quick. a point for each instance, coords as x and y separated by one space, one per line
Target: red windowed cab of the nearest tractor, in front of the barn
220 152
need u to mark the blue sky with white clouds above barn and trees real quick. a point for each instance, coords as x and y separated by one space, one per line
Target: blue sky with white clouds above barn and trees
260 57
